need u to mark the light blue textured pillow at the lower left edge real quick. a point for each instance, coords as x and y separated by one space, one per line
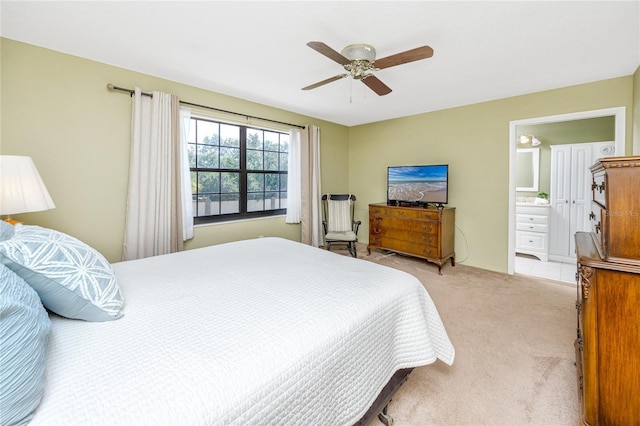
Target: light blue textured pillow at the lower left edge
24 331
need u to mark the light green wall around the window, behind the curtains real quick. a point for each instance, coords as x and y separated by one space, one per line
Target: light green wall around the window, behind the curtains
56 108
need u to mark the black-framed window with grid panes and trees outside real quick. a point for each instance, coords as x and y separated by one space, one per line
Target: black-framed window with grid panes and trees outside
237 172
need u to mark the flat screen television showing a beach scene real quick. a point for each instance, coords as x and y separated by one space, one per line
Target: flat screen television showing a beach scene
418 185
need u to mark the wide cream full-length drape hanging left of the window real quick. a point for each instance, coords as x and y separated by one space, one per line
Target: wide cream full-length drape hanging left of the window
154 213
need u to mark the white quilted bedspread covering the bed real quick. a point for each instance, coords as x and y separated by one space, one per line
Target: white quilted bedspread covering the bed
263 331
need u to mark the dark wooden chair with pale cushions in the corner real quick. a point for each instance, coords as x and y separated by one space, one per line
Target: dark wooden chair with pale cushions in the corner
340 227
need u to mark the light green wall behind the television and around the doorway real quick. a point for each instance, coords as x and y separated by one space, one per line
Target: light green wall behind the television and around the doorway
474 141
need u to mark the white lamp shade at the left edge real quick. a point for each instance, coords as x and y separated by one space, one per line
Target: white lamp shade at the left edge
21 188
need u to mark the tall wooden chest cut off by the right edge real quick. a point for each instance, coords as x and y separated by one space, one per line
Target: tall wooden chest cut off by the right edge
608 299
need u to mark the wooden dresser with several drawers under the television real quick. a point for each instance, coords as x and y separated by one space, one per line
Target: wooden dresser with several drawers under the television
427 233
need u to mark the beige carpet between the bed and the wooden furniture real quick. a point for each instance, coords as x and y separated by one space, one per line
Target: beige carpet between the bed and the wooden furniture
513 337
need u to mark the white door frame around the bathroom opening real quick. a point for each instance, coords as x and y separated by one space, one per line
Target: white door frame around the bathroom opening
620 127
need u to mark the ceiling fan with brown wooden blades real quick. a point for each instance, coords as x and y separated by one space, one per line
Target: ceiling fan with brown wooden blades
359 60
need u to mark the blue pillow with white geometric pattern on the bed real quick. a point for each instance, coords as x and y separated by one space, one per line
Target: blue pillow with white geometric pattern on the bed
71 278
